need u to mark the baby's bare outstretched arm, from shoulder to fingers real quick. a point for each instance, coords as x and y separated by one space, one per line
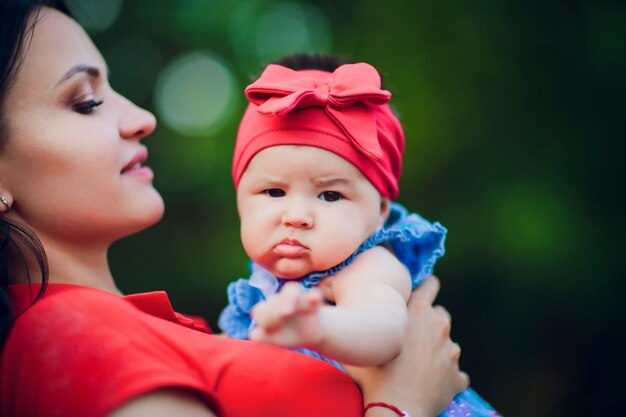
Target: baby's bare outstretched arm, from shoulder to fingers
365 327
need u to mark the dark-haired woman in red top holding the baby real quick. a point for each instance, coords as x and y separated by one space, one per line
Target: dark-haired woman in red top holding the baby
72 173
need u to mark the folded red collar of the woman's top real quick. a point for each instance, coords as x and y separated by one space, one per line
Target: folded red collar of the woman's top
155 303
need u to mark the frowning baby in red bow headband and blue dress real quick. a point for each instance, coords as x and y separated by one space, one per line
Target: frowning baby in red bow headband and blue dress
316 166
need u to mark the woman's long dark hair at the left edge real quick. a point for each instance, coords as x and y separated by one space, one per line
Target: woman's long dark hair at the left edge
19 246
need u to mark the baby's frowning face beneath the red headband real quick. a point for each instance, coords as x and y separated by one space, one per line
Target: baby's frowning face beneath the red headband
304 209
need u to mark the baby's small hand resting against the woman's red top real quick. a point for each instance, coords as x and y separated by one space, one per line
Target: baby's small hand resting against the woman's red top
291 318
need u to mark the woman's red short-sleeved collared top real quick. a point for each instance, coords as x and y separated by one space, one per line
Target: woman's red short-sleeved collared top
82 352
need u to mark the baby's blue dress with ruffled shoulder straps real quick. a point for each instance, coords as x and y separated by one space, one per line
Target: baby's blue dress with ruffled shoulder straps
416 242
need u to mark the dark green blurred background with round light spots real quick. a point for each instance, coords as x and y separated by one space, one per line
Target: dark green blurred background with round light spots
512 111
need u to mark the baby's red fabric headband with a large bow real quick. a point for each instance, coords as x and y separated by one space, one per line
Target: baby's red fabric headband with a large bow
344 112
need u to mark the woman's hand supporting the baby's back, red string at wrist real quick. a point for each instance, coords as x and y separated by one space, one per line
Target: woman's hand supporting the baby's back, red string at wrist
425 377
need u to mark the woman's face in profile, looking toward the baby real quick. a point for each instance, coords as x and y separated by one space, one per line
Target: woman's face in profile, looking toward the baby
73 161
